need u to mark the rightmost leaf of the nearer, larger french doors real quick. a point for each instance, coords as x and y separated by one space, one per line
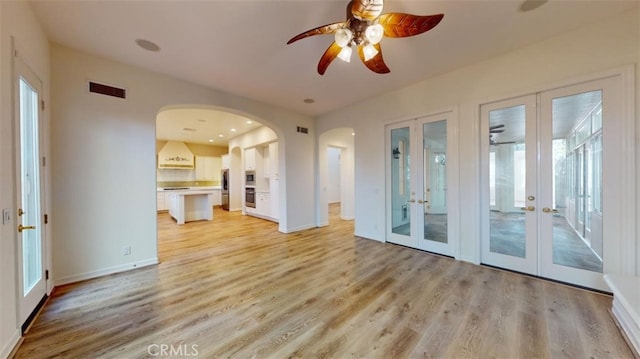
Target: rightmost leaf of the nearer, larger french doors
573 216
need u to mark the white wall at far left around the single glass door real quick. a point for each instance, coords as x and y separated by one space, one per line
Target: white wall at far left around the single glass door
17 21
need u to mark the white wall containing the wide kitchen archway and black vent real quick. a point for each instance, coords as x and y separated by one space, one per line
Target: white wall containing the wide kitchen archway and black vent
103 160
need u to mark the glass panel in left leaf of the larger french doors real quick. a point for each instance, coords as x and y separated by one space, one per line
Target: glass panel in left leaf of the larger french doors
508 154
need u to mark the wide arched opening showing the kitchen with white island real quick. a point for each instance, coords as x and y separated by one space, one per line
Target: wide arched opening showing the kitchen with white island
203 158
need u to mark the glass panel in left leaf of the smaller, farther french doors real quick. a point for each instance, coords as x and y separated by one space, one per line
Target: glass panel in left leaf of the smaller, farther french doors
400 181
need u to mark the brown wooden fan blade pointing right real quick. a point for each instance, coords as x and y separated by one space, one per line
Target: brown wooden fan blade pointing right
403 25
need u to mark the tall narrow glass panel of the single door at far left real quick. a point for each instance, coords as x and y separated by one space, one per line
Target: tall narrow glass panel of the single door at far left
30 185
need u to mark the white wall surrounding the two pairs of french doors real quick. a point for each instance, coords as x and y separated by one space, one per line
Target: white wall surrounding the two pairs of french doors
607 44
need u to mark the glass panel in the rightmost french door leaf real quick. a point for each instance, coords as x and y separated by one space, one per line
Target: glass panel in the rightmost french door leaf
577 181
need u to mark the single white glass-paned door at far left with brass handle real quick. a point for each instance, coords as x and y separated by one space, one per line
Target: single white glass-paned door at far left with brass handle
29 223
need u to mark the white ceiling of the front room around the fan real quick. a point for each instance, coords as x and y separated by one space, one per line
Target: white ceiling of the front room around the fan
239 46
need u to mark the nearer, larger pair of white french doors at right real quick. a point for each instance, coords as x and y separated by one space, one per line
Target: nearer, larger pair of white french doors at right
549 163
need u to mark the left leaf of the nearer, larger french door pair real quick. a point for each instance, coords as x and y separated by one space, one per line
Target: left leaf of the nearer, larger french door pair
509 160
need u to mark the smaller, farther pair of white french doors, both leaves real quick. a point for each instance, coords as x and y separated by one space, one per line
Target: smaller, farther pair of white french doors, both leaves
422 184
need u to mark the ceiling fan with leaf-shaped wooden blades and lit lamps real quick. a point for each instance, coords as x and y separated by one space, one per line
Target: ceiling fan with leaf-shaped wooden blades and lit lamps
363 29
